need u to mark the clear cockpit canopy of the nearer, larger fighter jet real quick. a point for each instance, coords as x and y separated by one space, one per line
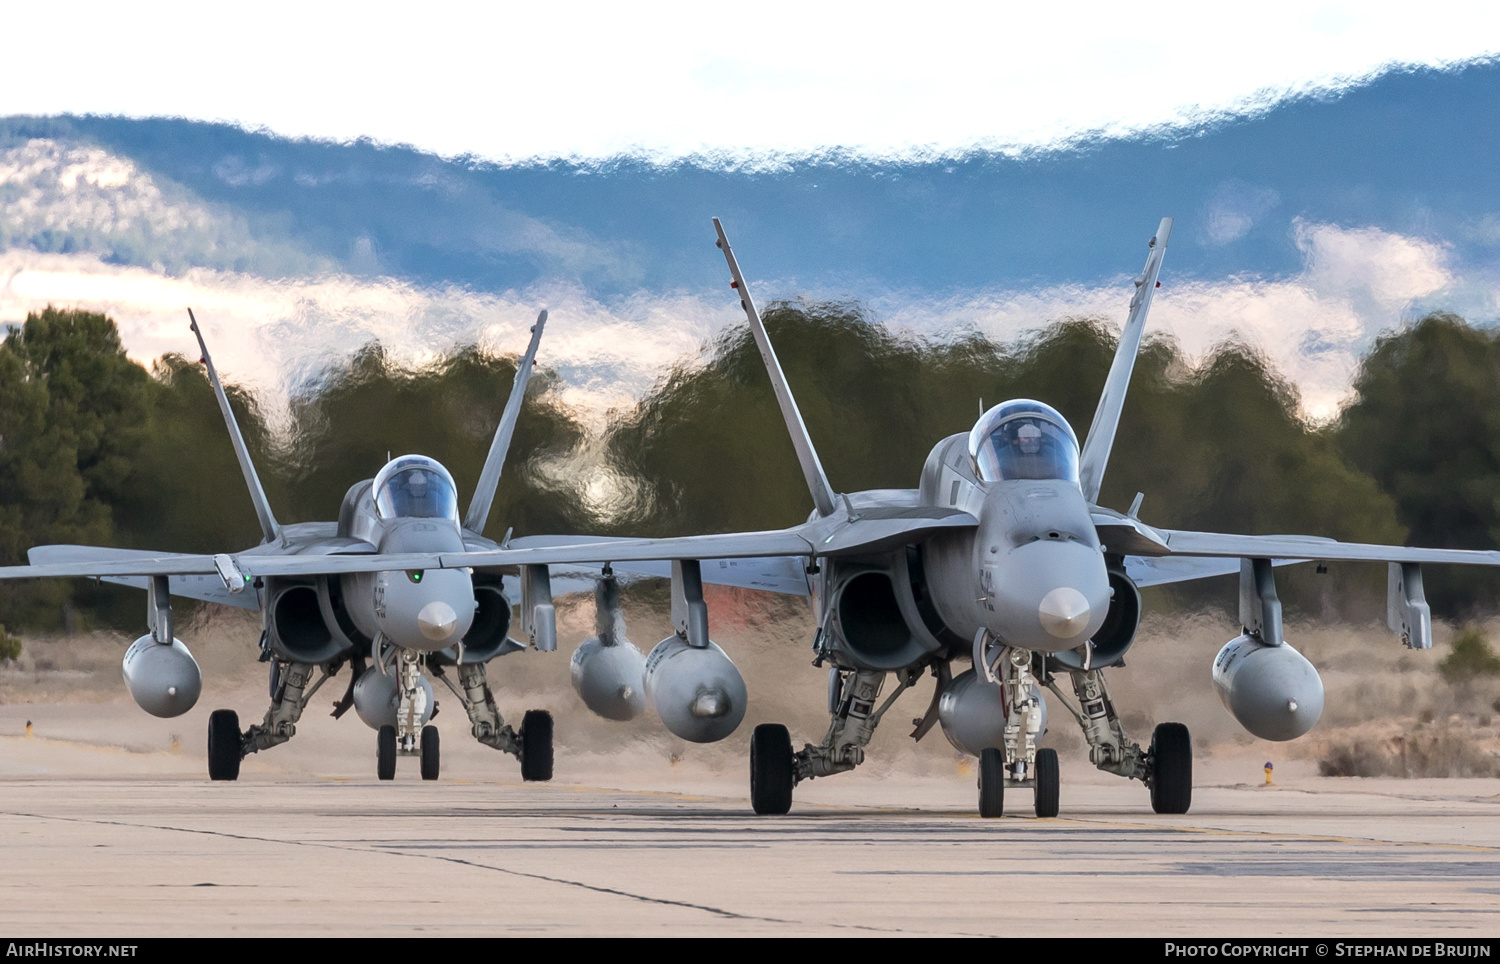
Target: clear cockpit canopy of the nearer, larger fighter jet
1024 440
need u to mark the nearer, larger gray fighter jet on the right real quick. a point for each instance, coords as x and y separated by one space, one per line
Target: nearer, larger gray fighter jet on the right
1000 557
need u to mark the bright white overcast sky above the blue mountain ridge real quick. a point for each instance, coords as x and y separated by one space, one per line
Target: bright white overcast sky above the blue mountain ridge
514 82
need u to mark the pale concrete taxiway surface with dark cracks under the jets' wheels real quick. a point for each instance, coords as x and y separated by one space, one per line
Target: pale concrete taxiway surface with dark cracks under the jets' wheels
101 843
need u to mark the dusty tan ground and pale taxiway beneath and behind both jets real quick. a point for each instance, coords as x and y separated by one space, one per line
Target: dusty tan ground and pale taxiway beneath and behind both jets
112 827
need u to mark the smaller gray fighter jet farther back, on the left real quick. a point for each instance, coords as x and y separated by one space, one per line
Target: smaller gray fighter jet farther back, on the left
359 591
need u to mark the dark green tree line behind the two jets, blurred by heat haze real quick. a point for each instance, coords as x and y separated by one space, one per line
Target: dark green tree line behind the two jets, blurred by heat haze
95 449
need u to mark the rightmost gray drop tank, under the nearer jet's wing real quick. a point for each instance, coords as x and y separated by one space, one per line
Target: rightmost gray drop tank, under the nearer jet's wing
1273 690
